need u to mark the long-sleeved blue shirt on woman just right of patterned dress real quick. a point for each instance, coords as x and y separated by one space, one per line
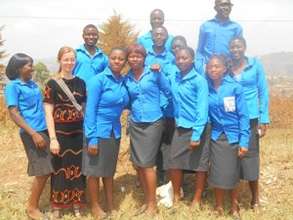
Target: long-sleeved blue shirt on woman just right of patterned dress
106 98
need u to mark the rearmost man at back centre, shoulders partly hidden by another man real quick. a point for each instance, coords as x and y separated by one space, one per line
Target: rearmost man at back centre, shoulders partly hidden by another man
157 19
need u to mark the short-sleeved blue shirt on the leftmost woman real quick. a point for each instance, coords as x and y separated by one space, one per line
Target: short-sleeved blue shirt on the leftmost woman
27 97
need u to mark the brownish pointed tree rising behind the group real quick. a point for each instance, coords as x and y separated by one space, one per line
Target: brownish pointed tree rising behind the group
116 33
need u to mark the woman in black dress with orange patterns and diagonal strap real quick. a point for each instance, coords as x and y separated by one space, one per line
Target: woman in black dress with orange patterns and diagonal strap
65 126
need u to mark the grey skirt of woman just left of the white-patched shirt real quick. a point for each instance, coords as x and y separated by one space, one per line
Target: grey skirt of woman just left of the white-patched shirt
180 156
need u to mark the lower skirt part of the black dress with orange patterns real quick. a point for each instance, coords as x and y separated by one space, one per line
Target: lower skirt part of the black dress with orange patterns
67 182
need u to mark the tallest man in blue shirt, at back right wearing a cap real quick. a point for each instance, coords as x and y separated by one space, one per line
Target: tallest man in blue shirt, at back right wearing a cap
215 34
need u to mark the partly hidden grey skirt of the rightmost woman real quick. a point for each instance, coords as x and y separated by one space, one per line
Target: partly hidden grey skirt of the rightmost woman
249 165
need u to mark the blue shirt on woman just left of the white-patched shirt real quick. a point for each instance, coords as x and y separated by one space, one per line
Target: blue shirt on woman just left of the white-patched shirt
190 101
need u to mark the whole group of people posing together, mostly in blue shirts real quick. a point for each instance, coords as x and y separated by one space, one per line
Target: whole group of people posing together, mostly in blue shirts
201 112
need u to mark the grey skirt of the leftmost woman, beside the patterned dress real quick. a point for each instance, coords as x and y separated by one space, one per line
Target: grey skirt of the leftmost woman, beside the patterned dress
39 160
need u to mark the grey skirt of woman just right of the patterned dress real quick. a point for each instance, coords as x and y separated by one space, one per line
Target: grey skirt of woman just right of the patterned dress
104 163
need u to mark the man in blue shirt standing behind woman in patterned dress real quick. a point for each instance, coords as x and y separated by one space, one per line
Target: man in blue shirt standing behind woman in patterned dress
90 59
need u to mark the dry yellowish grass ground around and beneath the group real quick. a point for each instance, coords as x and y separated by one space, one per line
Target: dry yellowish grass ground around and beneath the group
276 178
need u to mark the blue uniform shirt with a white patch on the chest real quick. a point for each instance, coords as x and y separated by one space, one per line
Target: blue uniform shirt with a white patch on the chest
228 112
